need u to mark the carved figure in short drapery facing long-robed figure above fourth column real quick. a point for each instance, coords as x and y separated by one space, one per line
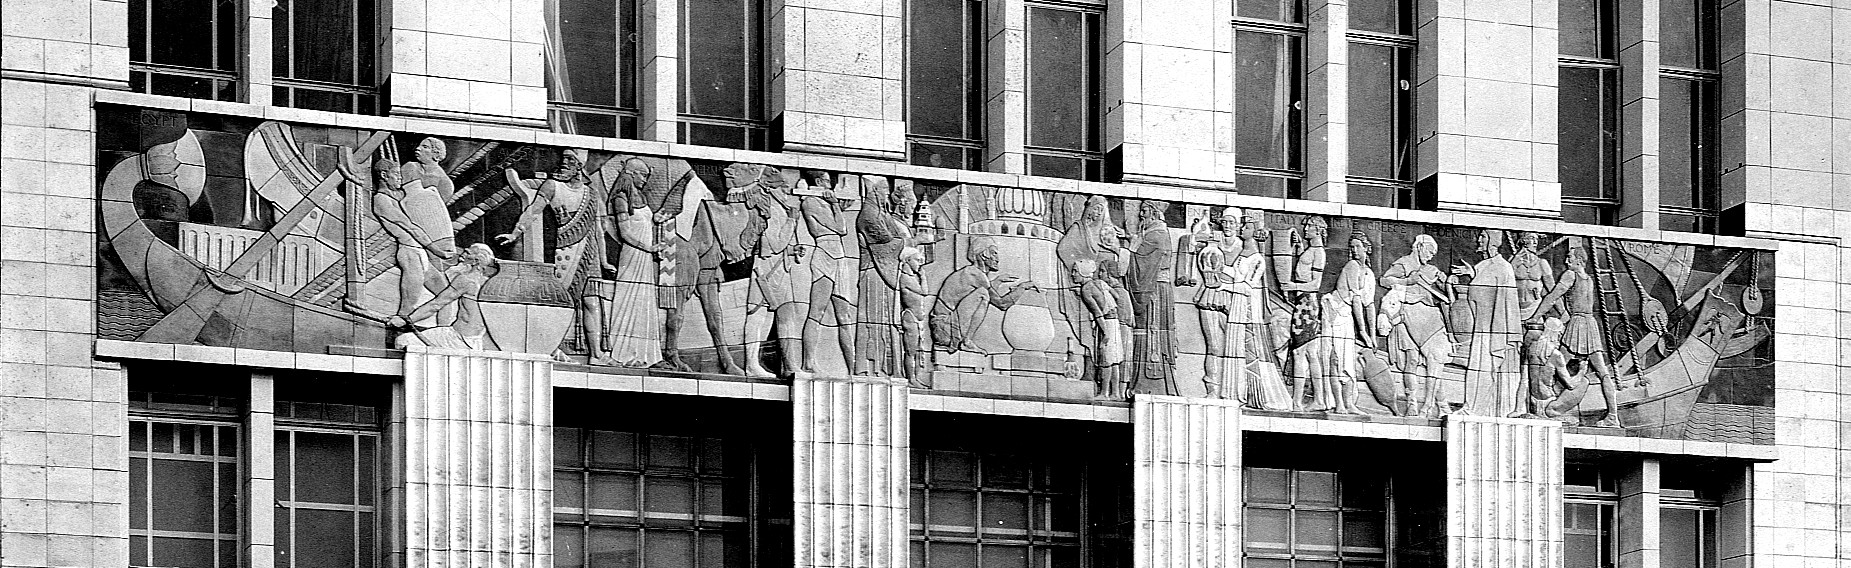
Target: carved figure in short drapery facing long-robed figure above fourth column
1419 345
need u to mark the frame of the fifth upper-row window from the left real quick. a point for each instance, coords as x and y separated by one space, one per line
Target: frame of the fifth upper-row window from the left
976 77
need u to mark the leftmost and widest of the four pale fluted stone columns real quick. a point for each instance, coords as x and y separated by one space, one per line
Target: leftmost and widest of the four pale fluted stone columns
478 460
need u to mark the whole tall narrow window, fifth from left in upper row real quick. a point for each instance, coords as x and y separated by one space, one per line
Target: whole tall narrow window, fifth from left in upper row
945 84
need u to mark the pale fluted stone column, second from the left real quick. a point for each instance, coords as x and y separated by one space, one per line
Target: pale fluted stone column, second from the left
851 482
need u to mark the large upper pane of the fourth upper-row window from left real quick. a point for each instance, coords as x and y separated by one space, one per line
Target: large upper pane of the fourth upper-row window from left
719 56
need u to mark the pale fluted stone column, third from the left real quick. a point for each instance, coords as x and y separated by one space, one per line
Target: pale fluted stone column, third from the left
1187 482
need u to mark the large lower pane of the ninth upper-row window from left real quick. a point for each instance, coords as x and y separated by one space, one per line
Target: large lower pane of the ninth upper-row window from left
1587 132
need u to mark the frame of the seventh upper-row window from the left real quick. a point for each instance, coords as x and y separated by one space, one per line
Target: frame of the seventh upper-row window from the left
1297 32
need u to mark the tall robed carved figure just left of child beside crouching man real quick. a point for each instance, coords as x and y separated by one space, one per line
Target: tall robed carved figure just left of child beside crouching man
882 227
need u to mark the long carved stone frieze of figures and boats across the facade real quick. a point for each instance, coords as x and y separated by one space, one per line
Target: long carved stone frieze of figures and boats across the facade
269 236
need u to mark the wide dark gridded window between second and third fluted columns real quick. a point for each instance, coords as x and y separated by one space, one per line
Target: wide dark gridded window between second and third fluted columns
995 506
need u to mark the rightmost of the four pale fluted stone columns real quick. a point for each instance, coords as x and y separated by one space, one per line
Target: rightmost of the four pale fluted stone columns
1504 493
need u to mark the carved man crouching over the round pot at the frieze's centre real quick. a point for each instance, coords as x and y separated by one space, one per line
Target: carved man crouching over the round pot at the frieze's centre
967 295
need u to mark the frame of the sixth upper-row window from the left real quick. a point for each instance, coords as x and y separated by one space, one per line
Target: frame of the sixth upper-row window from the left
1093 25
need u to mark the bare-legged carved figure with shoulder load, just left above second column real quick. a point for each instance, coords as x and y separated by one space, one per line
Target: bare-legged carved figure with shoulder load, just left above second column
775 306
